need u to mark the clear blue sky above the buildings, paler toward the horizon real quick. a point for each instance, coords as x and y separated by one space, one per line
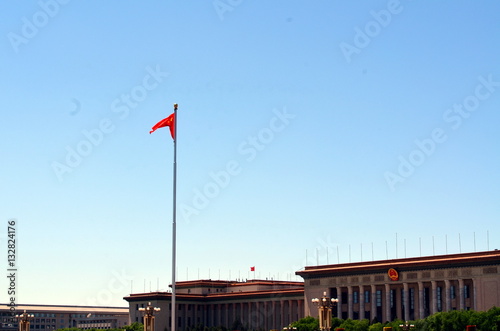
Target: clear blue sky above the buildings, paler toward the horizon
307 133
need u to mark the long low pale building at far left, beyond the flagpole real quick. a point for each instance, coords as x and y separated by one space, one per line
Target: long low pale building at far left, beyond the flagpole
51 317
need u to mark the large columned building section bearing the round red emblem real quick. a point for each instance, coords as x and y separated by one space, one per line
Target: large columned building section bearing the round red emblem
406 289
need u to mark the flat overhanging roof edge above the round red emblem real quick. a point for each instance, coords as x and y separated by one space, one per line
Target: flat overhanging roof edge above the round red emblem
405 264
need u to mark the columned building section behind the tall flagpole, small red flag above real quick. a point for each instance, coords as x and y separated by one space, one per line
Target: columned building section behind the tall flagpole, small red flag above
257 304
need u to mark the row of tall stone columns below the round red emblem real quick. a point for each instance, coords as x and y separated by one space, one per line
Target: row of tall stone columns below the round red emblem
421 308
